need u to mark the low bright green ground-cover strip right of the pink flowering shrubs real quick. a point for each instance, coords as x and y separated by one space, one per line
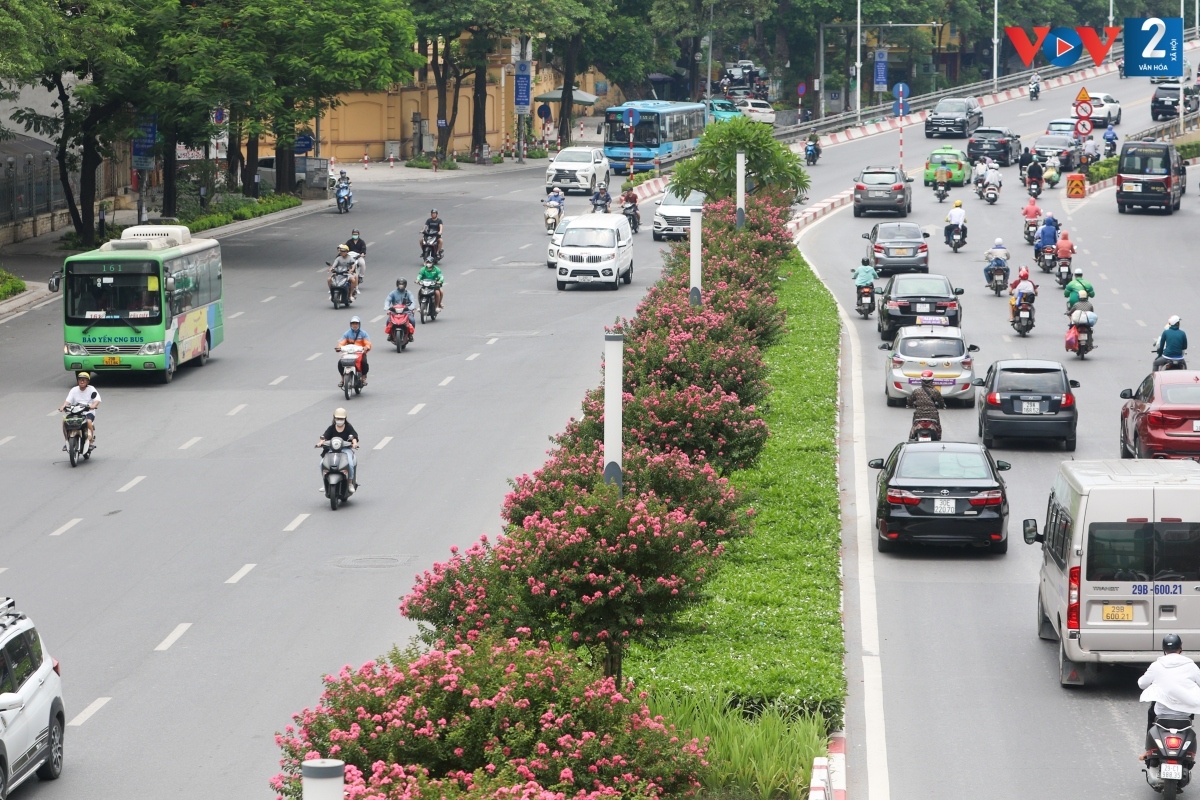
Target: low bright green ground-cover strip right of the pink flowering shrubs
770 634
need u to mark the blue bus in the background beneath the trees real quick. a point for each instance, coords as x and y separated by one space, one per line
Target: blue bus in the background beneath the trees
664 128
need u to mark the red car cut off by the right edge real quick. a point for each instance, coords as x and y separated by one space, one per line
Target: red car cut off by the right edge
1161 419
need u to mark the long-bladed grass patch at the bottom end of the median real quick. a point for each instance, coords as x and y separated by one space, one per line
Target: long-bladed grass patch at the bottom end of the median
763 757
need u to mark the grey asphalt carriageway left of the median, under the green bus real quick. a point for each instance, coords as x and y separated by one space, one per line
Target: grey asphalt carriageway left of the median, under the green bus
196 483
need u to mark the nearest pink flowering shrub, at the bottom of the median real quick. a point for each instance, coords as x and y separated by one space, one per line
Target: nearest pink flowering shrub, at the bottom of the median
496 719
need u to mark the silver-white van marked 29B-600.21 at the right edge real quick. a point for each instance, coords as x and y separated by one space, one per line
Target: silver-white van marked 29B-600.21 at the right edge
1120 562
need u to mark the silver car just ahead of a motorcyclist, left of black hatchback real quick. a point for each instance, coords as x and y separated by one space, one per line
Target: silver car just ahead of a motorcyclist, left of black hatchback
943 351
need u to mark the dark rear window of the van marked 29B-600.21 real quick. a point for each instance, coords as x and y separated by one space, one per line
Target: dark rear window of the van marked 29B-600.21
1143 551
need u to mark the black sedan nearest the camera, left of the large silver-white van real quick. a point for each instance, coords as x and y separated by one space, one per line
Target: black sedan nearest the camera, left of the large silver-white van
941 494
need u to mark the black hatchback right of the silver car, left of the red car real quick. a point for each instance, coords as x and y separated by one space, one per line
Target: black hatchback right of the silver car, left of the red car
1028 400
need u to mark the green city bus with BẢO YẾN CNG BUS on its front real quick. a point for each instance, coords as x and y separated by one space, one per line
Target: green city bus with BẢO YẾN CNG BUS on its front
147 303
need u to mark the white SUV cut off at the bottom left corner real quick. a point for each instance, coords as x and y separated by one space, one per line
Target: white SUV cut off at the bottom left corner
32 717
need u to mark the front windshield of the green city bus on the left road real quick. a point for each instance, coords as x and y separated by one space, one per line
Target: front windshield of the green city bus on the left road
100 293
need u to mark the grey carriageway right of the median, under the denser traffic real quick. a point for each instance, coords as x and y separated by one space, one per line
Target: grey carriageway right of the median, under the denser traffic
971 703
